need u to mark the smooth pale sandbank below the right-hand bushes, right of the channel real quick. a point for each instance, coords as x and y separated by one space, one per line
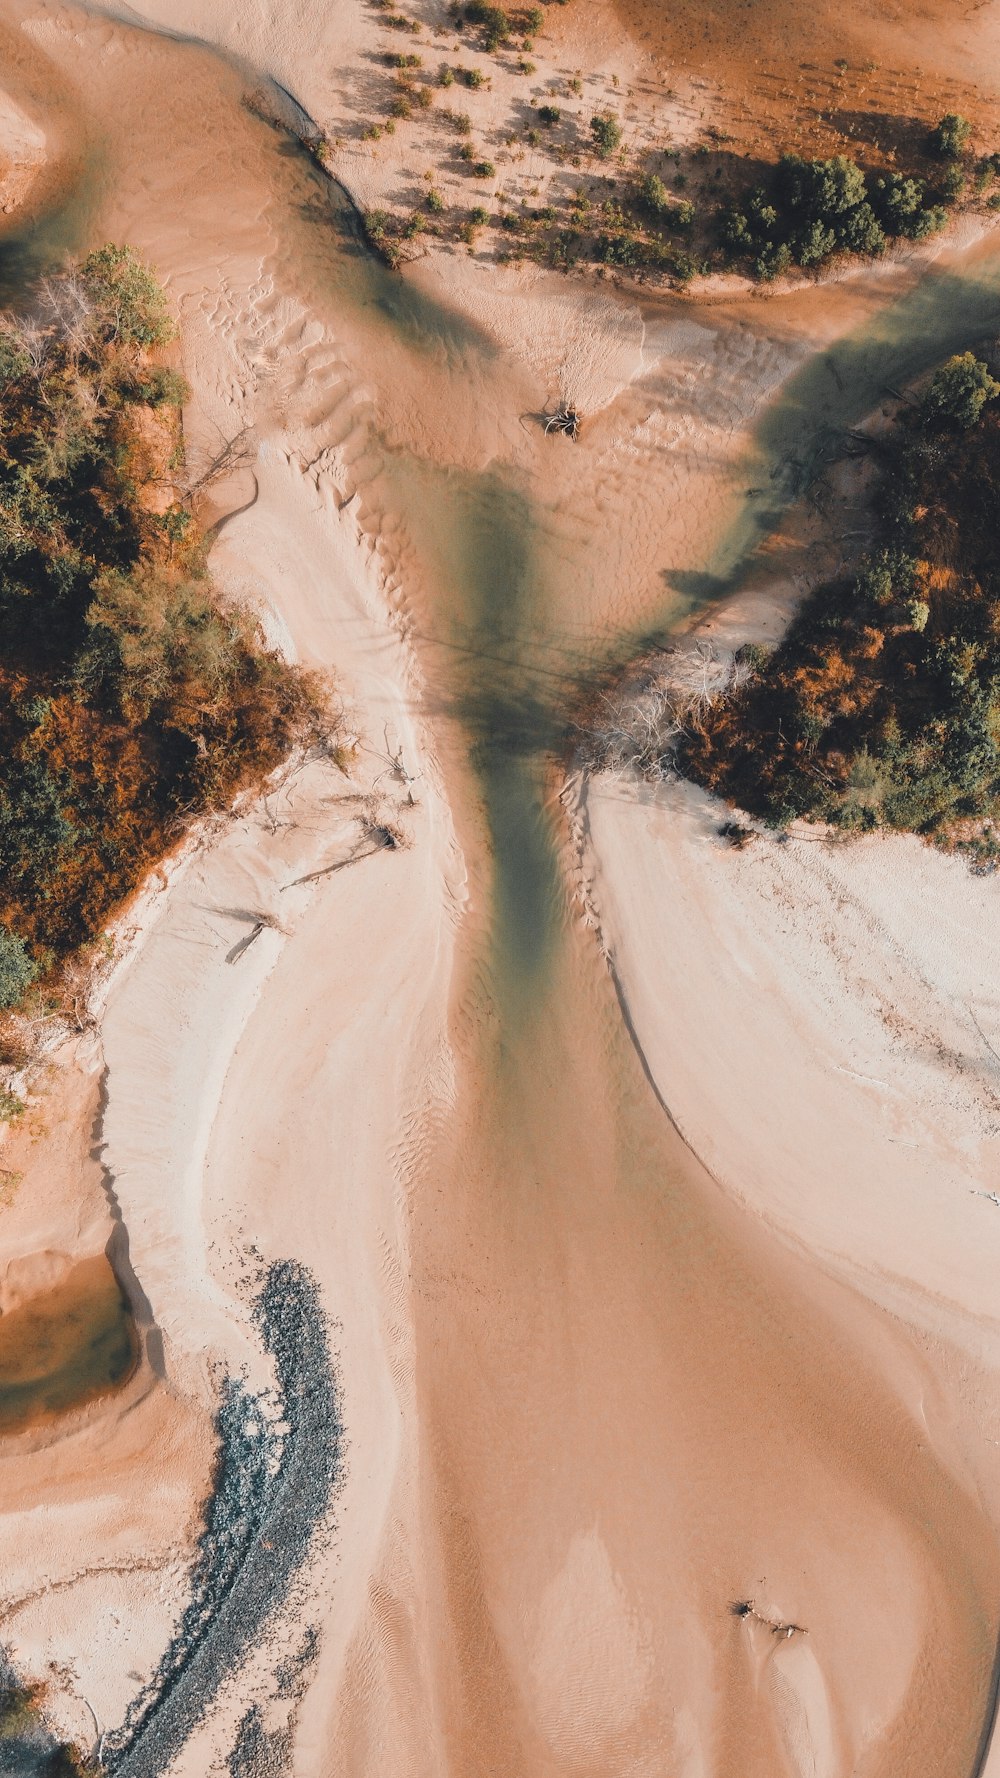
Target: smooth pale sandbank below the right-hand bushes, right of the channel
843 1009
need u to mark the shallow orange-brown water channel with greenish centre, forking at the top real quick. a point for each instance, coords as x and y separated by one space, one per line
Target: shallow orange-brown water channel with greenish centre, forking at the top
663 1411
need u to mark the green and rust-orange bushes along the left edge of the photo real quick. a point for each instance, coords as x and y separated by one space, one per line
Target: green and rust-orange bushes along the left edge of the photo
131 700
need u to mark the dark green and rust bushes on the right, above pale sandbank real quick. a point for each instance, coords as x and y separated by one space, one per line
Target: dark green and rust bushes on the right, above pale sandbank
882 707
